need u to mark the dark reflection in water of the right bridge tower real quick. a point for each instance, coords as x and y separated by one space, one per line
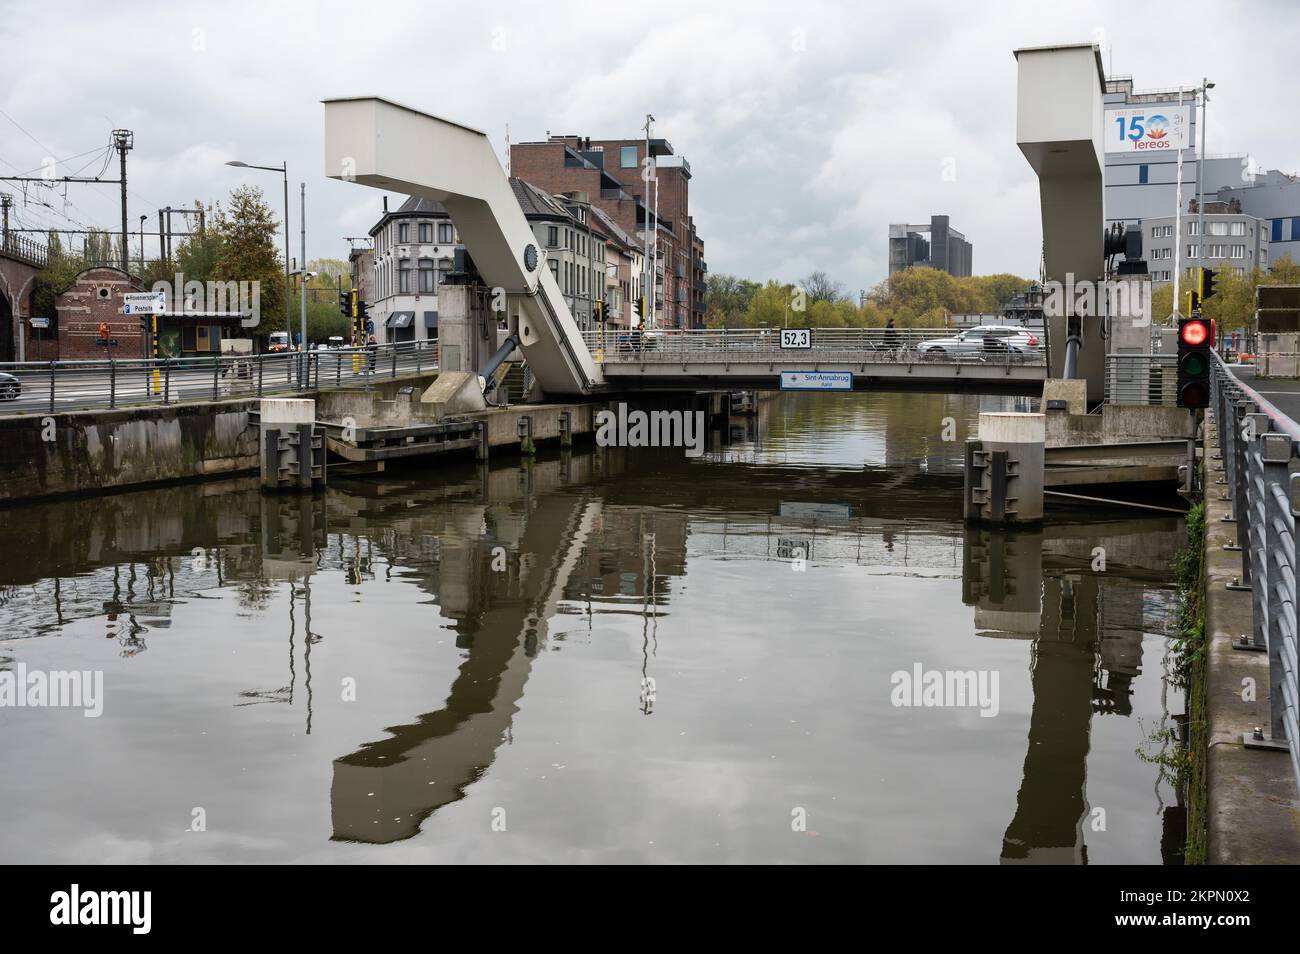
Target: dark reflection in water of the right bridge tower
1048 587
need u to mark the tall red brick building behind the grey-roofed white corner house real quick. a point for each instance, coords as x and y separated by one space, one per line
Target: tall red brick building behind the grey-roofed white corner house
610 172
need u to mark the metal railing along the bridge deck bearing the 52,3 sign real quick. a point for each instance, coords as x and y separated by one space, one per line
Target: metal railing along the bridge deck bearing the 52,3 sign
853 345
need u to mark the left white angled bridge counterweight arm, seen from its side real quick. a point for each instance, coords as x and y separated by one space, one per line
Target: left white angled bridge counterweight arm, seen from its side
388 146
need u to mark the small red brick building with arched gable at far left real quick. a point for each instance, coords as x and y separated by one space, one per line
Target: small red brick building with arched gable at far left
96 297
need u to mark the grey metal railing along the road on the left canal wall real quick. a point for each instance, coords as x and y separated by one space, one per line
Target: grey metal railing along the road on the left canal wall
50 387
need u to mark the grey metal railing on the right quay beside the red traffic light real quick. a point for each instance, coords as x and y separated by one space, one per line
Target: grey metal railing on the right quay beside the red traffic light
1259 445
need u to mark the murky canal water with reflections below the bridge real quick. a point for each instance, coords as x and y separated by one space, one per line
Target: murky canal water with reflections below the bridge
606 656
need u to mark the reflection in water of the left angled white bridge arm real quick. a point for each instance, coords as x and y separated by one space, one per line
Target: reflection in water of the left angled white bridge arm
384 791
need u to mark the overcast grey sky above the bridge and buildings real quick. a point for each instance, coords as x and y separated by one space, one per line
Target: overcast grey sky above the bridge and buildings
809 127
